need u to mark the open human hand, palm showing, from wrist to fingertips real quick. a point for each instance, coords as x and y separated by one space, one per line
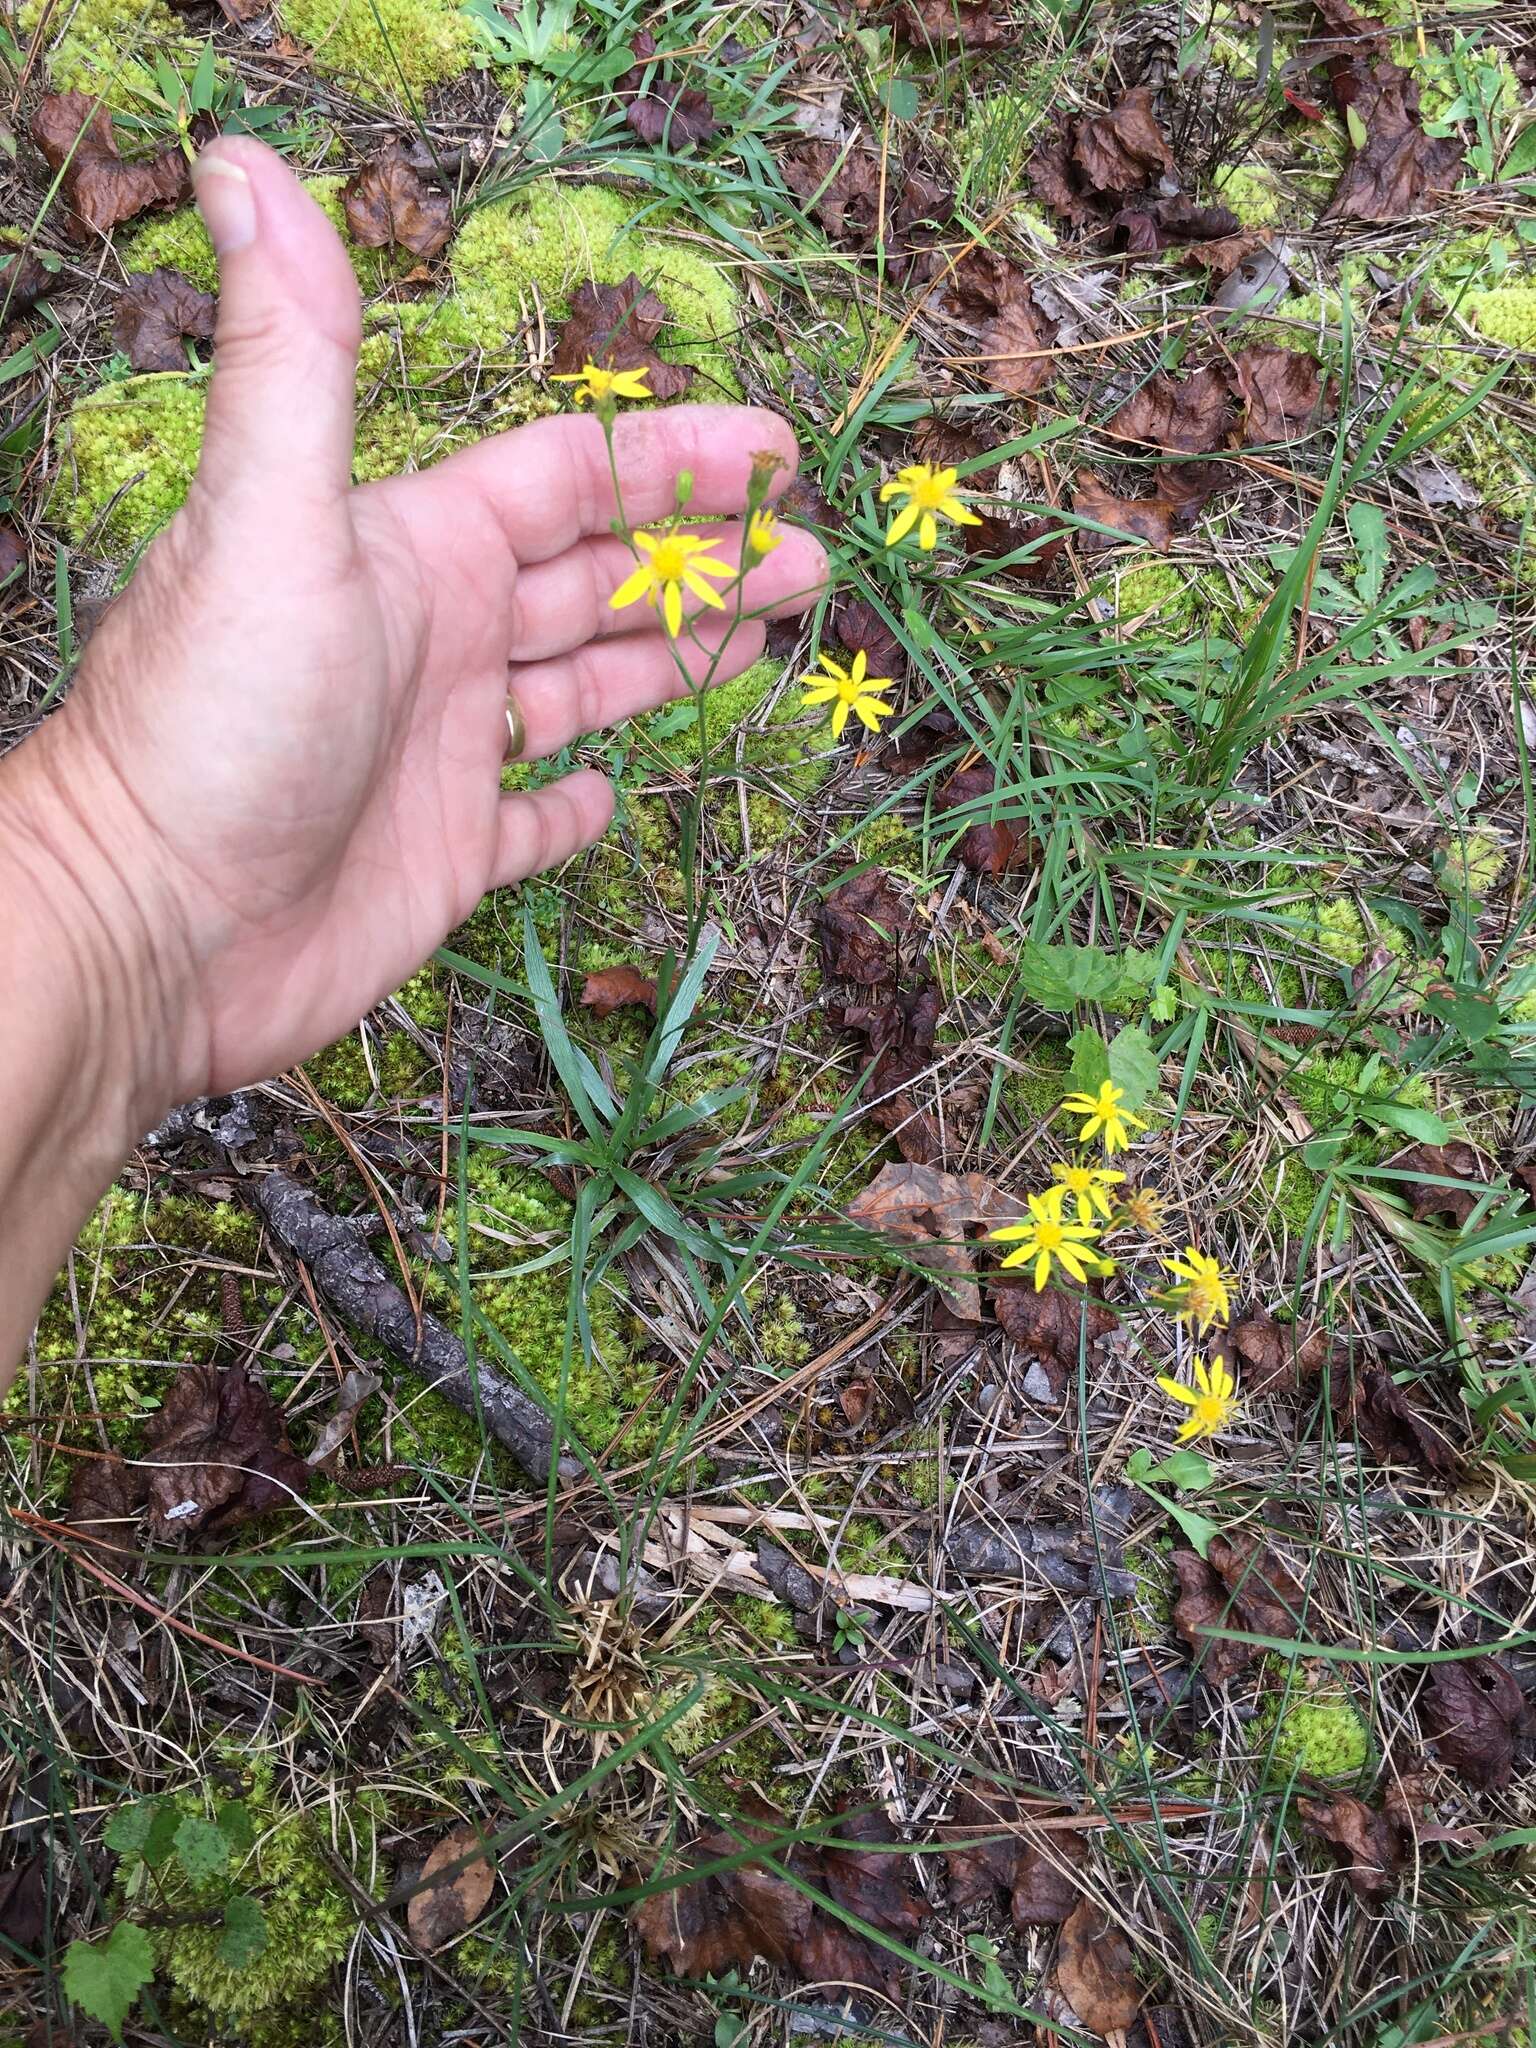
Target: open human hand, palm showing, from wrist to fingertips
278 777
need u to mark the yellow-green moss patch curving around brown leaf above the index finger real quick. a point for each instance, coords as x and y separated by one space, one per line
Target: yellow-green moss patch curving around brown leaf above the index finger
525 255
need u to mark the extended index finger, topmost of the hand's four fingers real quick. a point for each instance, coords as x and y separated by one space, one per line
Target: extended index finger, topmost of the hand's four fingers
550 484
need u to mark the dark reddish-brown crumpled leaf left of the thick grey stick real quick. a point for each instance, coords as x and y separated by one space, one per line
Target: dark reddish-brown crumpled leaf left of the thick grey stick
220 1455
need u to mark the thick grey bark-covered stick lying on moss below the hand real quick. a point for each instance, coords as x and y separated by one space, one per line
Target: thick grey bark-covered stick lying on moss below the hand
355 1283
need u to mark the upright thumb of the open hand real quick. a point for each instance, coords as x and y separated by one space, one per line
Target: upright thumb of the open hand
288 335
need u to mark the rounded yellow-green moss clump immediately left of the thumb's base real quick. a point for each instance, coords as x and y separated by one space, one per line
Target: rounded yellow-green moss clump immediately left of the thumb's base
128 460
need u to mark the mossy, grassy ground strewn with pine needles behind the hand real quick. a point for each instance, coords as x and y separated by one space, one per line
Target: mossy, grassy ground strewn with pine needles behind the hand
1299 845
